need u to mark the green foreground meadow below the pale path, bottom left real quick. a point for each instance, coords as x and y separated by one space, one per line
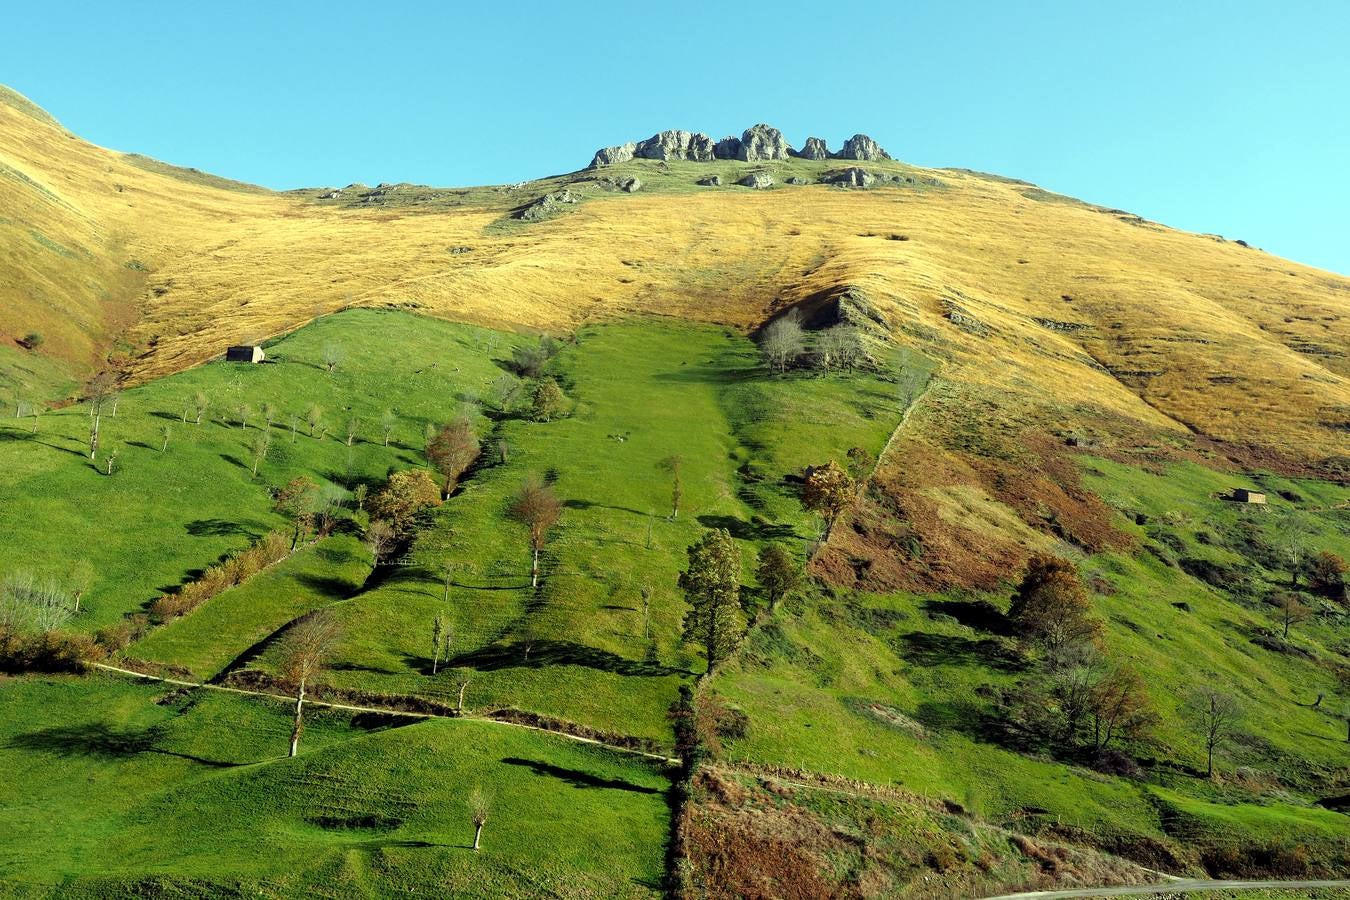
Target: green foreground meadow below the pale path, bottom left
129 790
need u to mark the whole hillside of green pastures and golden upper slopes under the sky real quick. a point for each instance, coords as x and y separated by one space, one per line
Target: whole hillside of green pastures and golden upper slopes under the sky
1033 377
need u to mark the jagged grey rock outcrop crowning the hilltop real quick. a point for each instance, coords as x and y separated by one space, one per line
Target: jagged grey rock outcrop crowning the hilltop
757 144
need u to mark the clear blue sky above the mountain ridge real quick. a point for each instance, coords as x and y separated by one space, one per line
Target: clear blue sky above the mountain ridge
1231 118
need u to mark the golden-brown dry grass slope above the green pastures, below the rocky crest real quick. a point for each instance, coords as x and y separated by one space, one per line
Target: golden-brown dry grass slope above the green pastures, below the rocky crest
1031 300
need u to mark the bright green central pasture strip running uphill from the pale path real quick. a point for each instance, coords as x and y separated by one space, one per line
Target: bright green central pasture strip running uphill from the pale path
578 648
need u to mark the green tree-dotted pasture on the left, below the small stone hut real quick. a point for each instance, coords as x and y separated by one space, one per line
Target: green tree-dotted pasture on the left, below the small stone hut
199 500
